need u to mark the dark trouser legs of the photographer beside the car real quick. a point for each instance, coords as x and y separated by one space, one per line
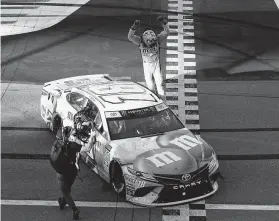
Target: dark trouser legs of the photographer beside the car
65 185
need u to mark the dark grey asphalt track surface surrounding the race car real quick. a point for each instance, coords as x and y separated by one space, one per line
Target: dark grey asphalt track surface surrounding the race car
238 111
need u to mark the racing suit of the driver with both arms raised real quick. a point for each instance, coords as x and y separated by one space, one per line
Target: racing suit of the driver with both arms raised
150 59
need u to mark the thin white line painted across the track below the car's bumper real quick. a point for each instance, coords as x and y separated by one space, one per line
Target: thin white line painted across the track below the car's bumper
128 205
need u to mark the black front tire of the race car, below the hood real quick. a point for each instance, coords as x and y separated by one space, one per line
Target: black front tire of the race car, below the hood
117 180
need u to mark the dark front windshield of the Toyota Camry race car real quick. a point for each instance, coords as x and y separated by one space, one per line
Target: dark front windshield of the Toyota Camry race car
147 124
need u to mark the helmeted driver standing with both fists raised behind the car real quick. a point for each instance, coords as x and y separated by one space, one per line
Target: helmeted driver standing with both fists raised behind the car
149 45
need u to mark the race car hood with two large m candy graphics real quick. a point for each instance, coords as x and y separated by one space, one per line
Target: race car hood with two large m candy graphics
164 154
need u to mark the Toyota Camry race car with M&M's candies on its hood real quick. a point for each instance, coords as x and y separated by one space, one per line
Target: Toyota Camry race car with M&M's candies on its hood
142 148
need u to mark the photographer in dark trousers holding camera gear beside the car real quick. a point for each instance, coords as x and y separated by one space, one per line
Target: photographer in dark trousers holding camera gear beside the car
78 139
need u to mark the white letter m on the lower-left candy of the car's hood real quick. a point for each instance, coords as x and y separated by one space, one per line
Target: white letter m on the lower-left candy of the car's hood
163 158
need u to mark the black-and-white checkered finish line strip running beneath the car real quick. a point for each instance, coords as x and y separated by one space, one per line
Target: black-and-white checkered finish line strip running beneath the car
181 89
